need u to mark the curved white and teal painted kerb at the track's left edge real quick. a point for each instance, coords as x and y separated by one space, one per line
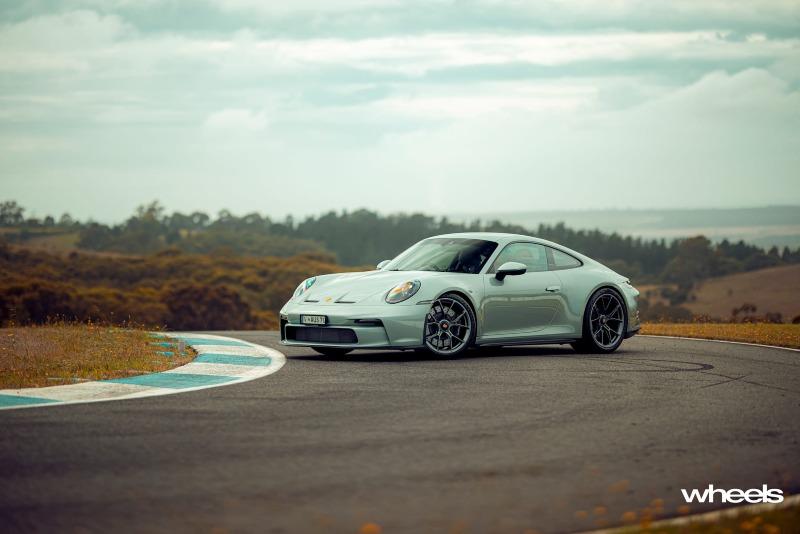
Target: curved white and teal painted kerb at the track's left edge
99 391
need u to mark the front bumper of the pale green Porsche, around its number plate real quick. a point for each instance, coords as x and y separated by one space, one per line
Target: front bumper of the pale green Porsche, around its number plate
374 326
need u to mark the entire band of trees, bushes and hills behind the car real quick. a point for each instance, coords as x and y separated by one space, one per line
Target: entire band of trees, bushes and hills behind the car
236 271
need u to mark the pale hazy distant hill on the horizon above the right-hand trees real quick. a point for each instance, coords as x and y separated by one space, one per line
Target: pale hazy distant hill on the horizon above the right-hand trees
765 227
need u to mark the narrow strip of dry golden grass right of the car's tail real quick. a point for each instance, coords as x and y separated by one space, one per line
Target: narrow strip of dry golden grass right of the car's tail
782 335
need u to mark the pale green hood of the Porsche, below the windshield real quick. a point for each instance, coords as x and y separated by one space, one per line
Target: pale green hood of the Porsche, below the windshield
358 287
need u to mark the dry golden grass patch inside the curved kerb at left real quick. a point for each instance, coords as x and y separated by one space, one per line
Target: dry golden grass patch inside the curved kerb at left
57 354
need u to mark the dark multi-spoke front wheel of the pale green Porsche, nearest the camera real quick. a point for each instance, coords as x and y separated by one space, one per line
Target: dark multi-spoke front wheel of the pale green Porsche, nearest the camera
449 326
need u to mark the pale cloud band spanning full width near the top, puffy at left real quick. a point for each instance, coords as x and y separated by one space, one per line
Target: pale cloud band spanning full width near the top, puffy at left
84 40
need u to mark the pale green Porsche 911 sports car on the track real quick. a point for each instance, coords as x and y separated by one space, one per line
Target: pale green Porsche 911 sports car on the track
451 292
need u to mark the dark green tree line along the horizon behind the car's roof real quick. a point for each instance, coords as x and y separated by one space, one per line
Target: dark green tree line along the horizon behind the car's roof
364 237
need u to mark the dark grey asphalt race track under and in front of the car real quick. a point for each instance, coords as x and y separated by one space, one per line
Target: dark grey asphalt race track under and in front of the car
498 441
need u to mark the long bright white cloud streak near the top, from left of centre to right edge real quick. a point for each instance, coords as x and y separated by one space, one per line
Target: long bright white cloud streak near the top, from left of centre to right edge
417 54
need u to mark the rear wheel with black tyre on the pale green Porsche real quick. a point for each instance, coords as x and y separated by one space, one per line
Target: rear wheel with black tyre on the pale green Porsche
605 321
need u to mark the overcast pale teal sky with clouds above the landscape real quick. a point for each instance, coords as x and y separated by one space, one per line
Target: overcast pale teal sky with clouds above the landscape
300 106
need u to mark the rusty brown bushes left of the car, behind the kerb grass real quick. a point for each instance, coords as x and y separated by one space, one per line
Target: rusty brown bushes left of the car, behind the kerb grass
169 290
